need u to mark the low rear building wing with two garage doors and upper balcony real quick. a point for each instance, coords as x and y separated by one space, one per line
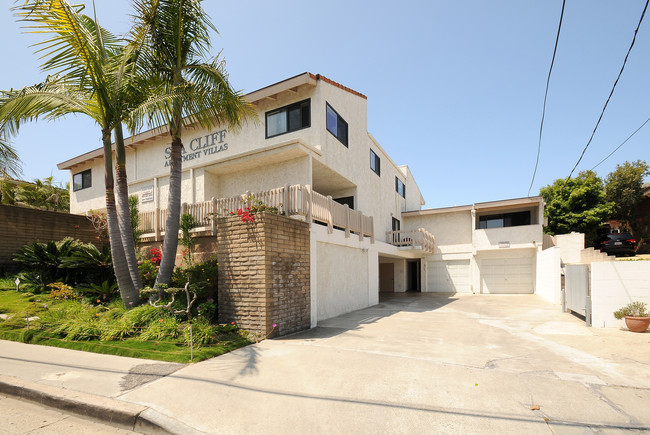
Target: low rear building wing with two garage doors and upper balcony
482 248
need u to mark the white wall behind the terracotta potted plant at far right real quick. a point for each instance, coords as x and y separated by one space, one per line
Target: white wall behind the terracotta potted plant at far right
615 284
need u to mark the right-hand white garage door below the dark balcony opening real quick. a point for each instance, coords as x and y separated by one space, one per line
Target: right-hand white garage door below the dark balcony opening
507 274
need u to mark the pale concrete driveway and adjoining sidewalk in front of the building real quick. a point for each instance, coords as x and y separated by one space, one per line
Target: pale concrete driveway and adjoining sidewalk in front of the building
412 364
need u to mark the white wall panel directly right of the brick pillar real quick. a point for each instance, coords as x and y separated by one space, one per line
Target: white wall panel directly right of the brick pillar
344 273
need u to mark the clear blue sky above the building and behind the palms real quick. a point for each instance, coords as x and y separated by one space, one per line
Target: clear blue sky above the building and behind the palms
455 88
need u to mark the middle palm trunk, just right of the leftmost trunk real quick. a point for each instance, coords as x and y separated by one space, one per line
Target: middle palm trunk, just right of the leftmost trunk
122 189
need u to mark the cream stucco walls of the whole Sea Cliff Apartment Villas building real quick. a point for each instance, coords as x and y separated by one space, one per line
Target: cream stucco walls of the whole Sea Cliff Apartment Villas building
347 273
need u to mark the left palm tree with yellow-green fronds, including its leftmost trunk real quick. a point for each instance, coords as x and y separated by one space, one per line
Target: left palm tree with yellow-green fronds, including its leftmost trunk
93 70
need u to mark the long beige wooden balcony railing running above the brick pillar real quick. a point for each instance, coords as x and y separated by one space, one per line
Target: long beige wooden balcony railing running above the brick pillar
296 200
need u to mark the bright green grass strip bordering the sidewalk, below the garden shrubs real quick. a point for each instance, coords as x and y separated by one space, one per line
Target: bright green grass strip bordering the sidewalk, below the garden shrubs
171 349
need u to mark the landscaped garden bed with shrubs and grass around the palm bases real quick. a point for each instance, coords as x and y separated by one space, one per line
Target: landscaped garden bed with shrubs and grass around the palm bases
67 297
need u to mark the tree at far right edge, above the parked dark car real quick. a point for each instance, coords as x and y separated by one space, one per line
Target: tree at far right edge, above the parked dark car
624 189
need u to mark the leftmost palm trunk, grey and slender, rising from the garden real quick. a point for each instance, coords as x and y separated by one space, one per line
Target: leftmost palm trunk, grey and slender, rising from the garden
129 294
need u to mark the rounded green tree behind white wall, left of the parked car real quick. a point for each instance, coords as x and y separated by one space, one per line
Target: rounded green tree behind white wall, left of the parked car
576 204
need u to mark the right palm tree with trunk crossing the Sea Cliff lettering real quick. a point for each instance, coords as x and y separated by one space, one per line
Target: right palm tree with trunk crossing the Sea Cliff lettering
179 40
